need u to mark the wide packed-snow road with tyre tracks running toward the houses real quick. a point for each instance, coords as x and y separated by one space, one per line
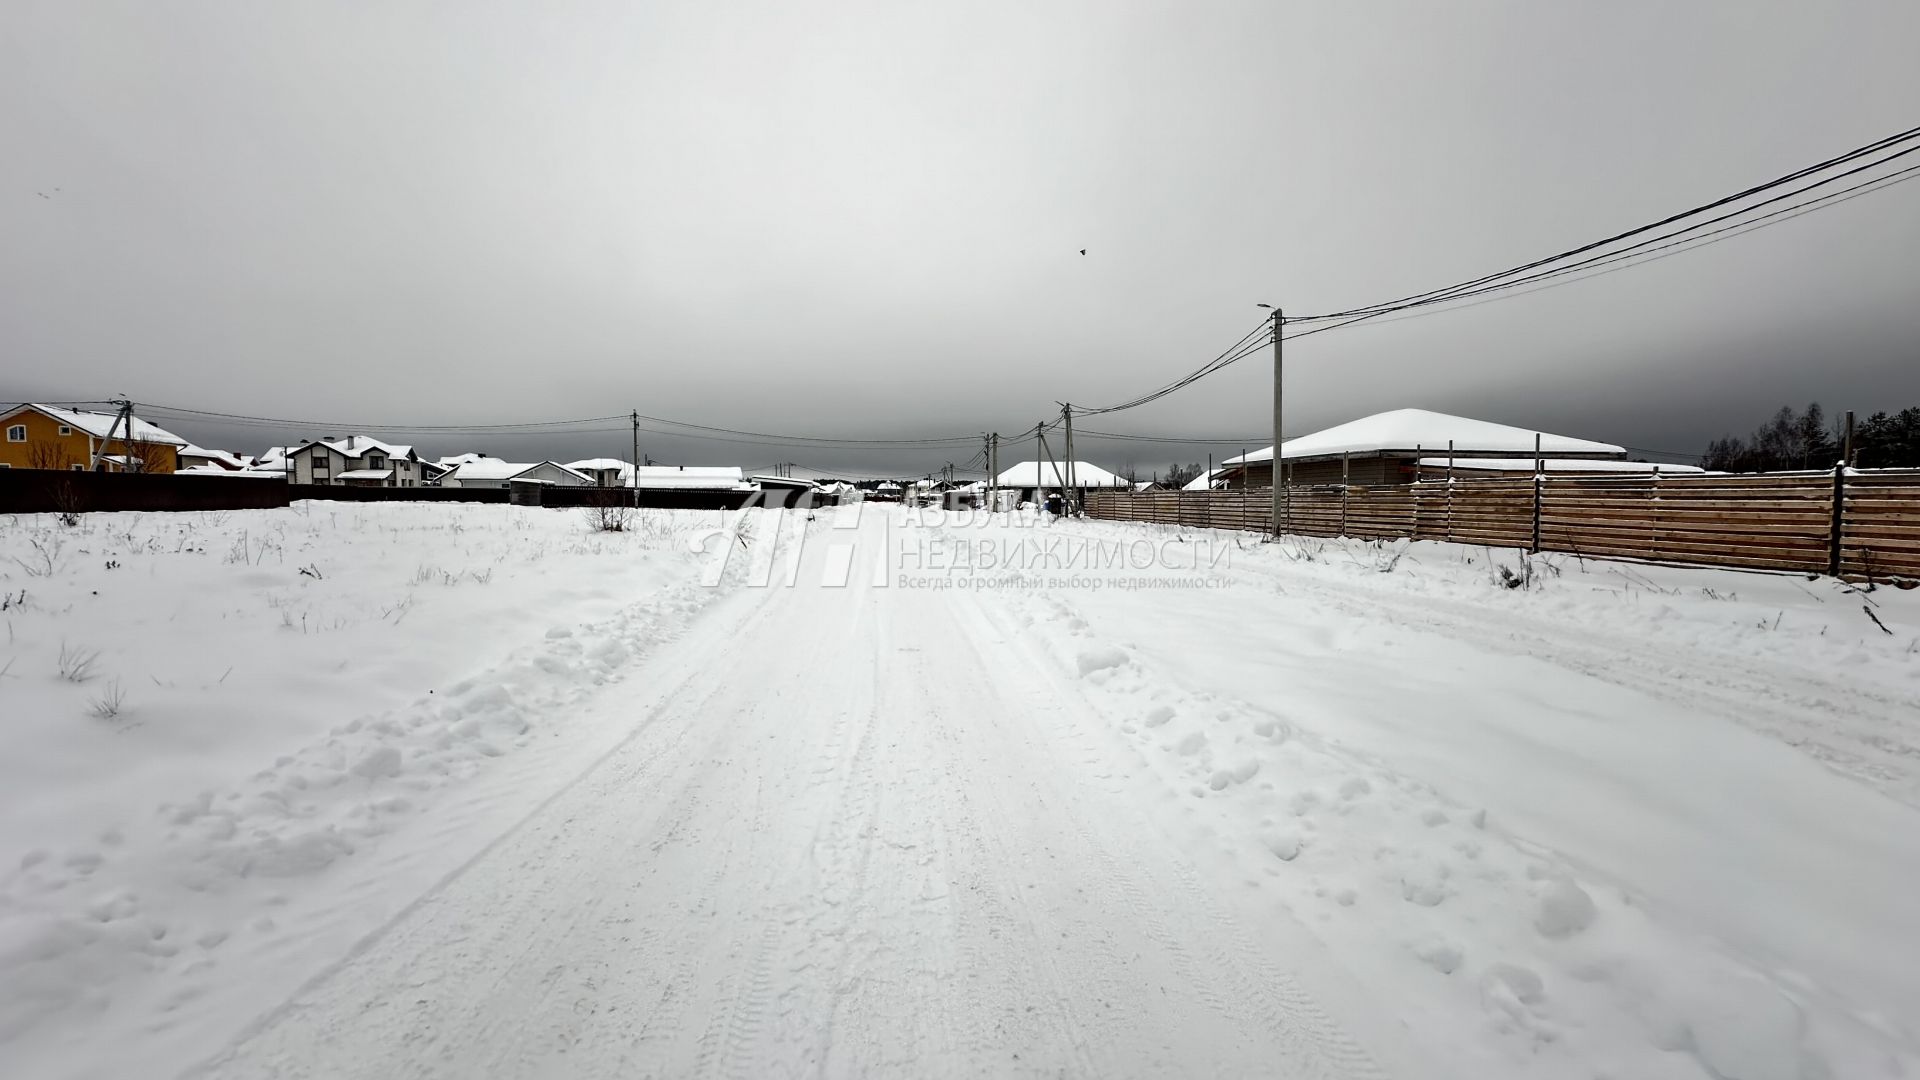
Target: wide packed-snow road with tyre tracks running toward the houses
871 835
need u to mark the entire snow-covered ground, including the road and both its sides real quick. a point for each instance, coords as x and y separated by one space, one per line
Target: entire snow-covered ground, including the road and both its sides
456 791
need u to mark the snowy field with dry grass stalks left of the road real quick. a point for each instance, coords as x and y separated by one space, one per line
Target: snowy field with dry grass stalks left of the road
291 687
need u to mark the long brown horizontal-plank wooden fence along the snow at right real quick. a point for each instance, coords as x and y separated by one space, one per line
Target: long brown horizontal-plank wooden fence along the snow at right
1858 524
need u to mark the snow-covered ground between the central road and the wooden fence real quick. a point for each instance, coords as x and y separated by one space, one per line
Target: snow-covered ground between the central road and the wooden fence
1633 822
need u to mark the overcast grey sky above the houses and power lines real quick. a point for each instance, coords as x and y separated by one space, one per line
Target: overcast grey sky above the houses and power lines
865 218
